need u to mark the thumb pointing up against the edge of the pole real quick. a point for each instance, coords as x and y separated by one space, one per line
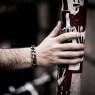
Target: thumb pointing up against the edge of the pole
56 30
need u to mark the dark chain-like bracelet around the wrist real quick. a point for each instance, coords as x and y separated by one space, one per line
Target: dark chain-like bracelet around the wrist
33 56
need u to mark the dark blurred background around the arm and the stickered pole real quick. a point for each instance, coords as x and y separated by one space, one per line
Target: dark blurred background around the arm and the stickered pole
26 22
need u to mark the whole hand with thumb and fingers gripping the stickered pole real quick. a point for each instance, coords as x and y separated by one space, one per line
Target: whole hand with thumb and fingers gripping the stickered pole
52 51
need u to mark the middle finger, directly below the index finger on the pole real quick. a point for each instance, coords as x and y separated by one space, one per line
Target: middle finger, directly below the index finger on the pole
71 46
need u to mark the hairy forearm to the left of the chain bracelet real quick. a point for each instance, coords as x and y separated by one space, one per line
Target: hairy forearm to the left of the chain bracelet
19 58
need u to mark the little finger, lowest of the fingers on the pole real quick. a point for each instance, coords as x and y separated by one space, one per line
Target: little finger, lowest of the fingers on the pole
70 61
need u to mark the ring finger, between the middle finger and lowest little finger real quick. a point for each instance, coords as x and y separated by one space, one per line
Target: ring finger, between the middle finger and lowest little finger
71 54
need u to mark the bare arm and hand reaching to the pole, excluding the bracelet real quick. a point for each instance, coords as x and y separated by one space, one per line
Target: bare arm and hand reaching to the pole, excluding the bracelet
50 52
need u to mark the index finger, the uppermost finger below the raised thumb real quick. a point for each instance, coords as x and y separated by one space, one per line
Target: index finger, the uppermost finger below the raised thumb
67 36
